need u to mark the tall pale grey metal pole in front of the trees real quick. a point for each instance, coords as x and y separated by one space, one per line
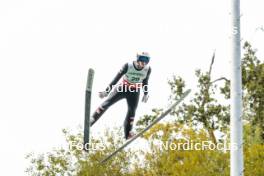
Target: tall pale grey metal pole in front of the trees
236 157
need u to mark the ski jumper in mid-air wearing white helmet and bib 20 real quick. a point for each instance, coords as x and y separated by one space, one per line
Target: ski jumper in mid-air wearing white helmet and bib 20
135 77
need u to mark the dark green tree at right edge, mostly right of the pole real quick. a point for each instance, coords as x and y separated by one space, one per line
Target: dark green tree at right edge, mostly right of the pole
253 91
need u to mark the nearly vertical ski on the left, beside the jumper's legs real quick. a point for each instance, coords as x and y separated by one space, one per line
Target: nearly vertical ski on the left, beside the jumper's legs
88 93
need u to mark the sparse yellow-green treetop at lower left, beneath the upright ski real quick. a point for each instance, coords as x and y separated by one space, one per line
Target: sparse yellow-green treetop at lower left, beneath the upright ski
74 161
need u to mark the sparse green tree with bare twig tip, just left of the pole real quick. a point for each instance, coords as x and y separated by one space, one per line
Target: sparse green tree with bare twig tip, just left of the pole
203 108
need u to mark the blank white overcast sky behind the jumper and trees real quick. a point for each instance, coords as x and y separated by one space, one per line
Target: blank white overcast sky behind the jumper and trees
46 48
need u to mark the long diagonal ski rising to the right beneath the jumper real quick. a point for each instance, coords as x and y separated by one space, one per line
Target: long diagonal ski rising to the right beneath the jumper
165 113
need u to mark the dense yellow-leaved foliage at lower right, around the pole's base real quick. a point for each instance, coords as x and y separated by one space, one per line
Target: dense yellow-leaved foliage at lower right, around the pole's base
170 162
